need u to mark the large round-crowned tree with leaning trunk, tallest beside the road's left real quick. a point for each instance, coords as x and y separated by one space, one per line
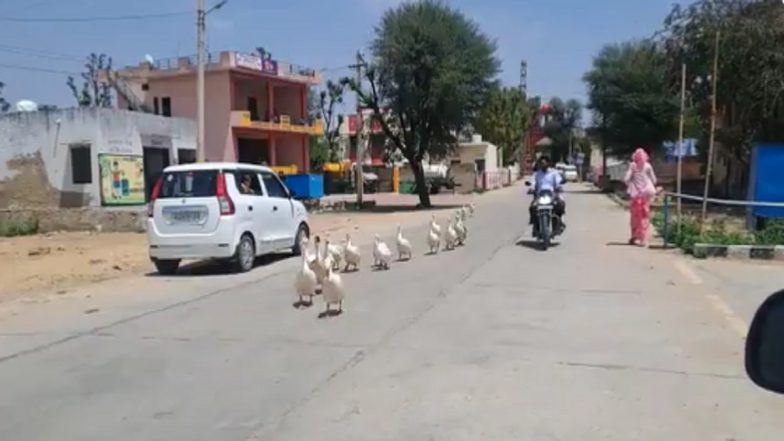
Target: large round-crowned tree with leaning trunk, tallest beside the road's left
430 72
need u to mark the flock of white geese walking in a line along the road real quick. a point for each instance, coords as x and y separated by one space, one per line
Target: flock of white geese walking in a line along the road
320 267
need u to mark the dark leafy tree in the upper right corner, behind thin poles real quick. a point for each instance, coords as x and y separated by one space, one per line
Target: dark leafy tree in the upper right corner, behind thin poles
750 85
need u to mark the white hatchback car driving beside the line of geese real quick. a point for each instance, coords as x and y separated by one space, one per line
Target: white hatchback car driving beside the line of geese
224 211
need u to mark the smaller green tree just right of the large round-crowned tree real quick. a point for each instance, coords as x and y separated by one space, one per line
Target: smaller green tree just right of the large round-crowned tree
502 120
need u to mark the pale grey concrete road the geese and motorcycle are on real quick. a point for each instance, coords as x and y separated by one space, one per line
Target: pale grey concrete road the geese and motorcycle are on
495 341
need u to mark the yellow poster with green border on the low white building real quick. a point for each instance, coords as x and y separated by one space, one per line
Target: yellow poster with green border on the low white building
122 179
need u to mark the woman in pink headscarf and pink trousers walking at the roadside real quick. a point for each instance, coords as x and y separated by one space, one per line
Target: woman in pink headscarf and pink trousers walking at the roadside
641 187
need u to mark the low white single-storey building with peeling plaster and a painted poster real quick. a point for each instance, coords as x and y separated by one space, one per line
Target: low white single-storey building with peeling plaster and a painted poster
86 168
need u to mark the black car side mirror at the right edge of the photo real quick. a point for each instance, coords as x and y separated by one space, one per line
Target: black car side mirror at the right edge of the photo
765 345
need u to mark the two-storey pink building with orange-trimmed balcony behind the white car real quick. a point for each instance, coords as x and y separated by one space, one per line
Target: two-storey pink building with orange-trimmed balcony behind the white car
256 108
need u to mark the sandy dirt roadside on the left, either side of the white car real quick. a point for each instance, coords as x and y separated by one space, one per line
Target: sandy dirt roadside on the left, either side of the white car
55 263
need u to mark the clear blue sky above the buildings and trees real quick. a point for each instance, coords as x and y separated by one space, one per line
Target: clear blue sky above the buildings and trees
558 38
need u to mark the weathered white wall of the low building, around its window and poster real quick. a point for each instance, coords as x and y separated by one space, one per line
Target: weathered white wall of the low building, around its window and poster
35 159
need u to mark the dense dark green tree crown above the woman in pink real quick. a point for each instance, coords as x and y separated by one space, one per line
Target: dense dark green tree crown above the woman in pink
631 96
